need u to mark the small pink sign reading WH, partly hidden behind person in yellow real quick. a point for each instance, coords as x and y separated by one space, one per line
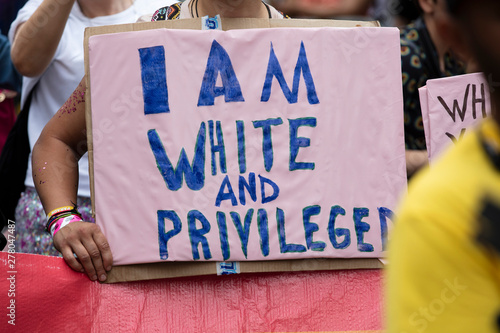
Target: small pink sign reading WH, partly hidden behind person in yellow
450 106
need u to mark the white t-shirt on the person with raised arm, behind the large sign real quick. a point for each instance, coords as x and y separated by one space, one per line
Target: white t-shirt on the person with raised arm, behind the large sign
66 70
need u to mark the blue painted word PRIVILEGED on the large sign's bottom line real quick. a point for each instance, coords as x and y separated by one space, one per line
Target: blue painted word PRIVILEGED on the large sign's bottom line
339 238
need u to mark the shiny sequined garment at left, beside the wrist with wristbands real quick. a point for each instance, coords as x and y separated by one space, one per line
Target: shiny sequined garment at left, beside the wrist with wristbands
31 236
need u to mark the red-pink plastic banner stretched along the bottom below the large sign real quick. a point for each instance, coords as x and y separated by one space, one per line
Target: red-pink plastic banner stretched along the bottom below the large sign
42 294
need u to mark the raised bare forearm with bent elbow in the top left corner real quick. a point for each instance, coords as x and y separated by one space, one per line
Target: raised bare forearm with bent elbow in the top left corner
36 40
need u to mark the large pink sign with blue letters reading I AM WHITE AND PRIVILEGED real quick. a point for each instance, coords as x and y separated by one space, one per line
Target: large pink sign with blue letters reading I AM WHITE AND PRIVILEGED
258 144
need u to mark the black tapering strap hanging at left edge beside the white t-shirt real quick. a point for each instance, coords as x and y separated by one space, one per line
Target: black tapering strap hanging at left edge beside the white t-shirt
14 164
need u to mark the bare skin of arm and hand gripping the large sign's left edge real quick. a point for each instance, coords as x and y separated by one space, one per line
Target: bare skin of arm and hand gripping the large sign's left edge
55 173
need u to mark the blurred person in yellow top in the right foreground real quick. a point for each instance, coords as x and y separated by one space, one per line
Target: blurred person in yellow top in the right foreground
444 256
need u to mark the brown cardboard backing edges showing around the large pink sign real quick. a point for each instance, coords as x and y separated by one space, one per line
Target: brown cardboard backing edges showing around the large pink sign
163 270
